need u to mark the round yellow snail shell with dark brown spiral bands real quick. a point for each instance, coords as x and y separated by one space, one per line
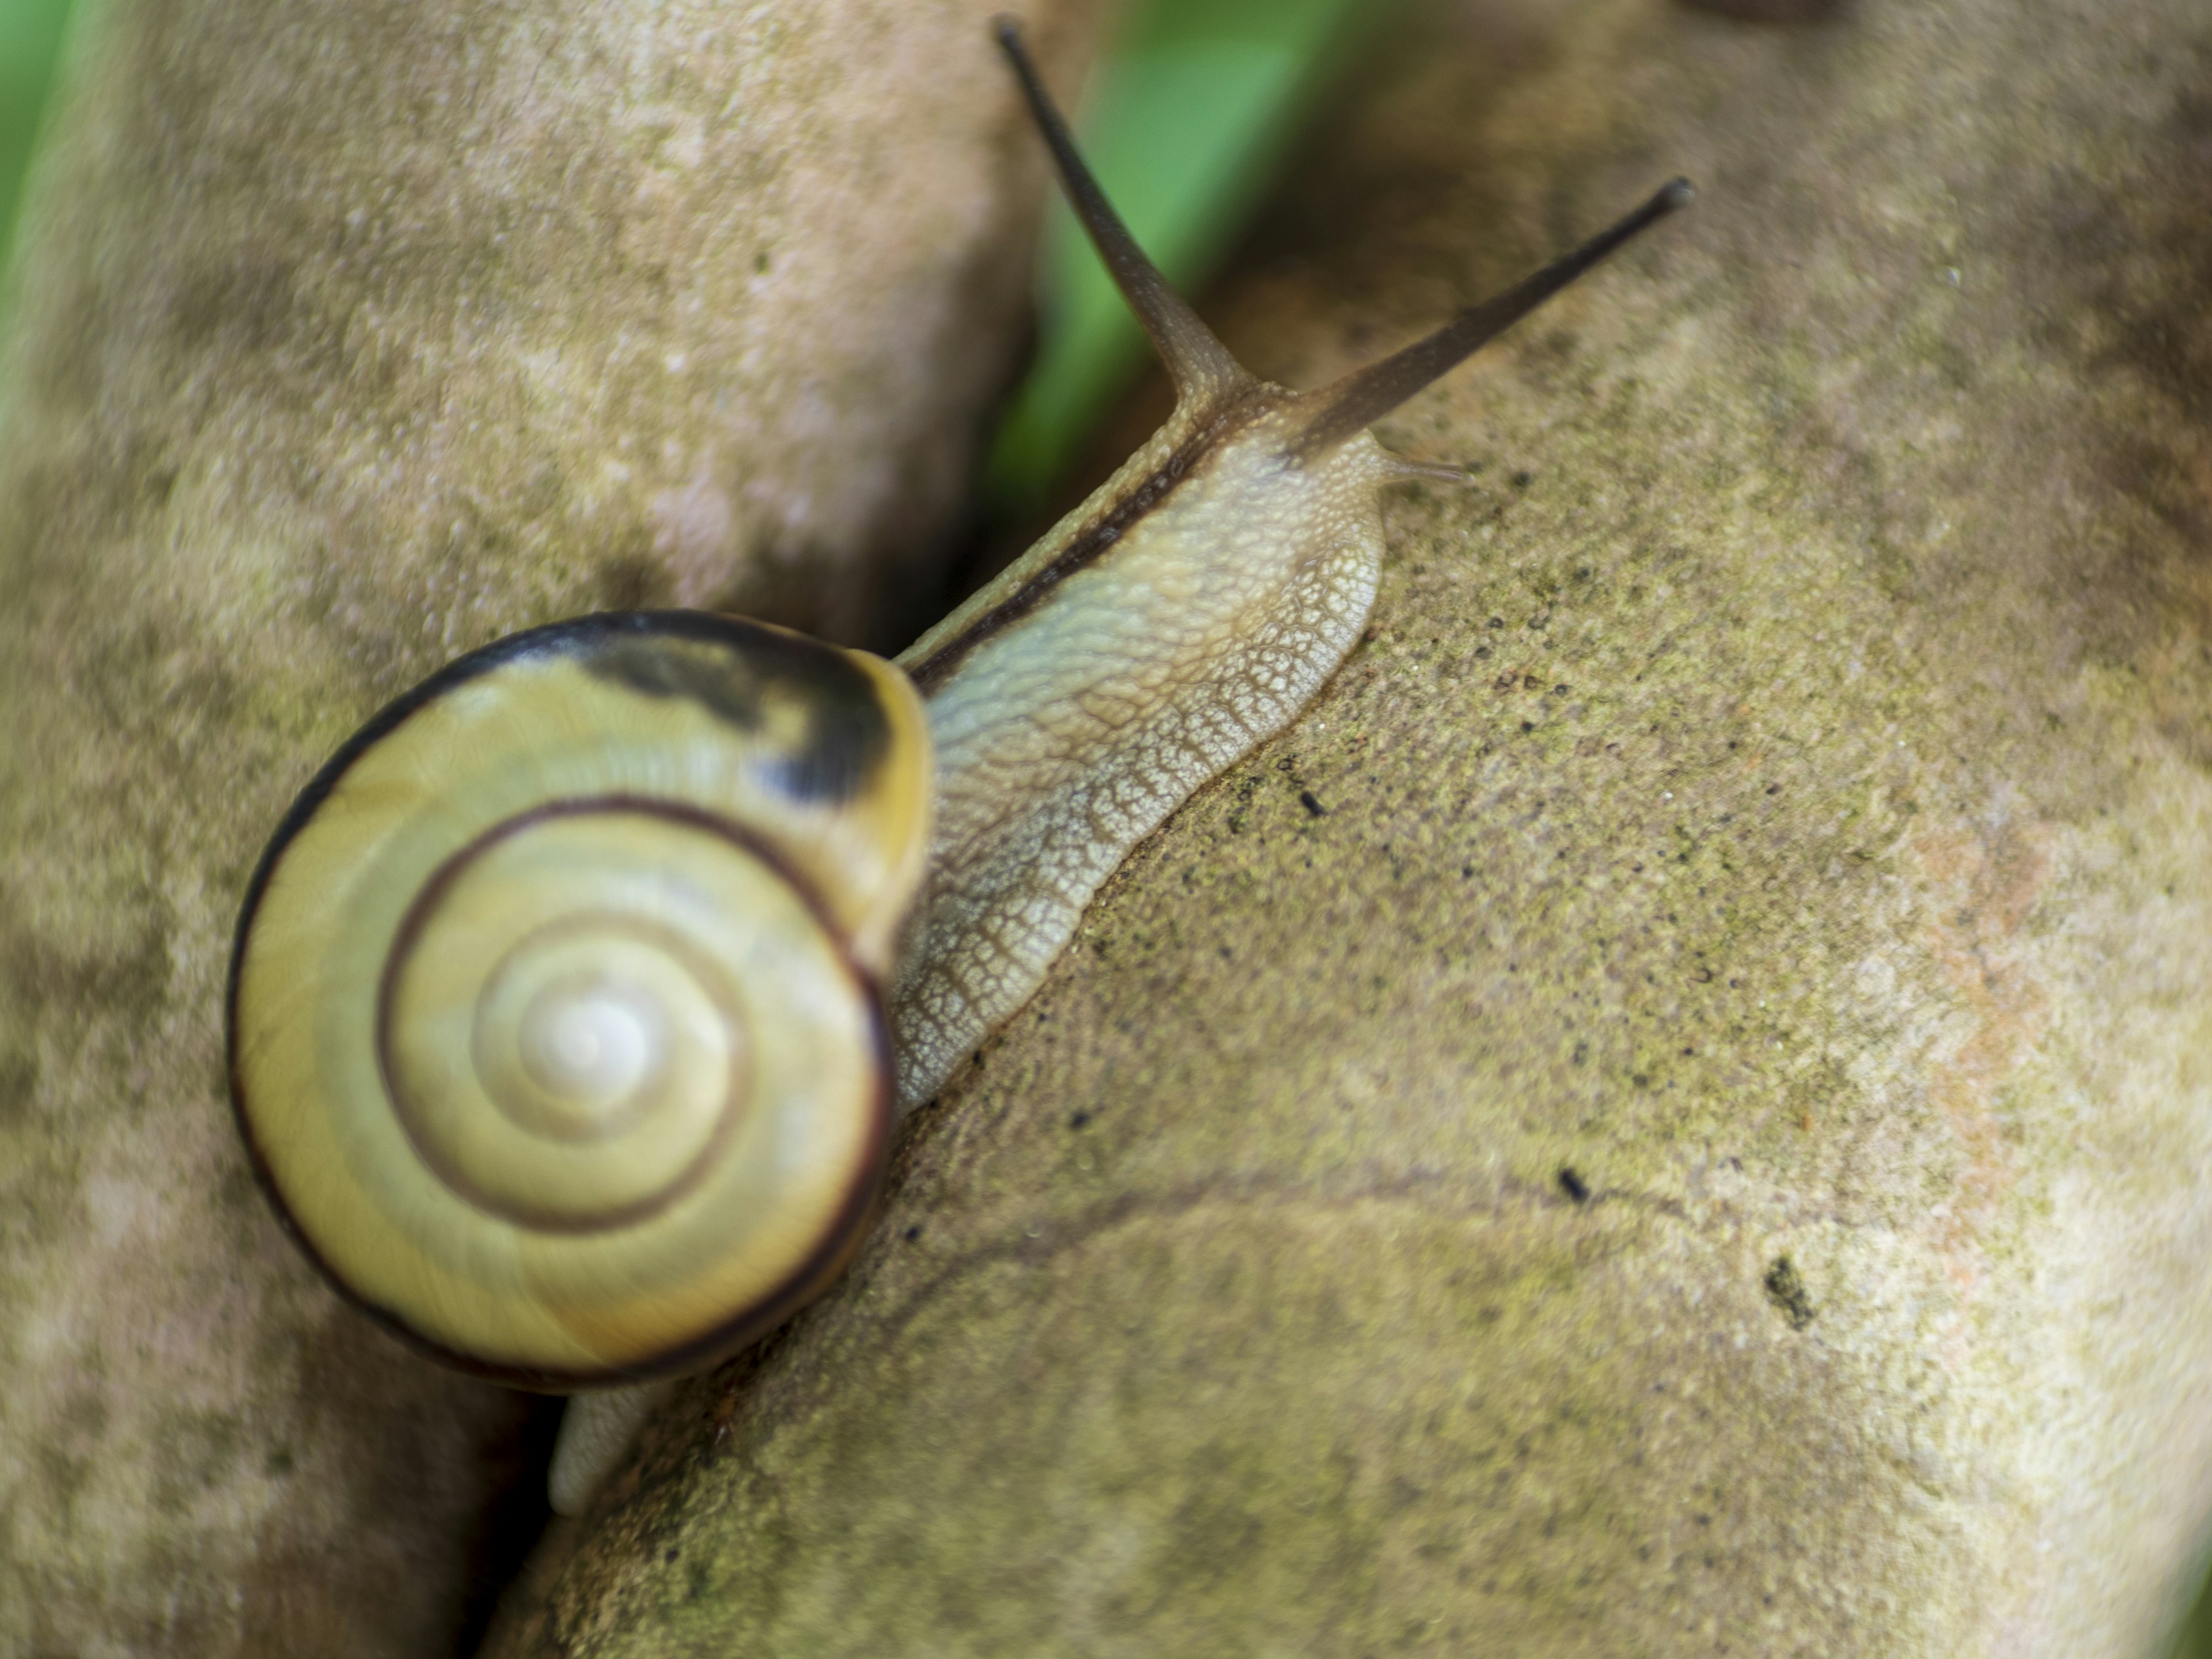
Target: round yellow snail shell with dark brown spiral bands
556 1014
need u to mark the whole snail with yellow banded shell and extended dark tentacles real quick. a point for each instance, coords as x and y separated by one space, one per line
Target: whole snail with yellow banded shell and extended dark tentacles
556 1021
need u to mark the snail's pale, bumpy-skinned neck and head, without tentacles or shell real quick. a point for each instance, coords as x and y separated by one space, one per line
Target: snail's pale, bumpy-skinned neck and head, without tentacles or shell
1072 731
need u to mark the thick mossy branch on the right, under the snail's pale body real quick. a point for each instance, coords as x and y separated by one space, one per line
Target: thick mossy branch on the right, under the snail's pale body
1669 1116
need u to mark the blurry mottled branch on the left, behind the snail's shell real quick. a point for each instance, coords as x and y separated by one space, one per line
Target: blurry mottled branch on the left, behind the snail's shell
351 337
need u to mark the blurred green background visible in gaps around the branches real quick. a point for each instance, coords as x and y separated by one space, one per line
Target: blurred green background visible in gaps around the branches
1185 169
